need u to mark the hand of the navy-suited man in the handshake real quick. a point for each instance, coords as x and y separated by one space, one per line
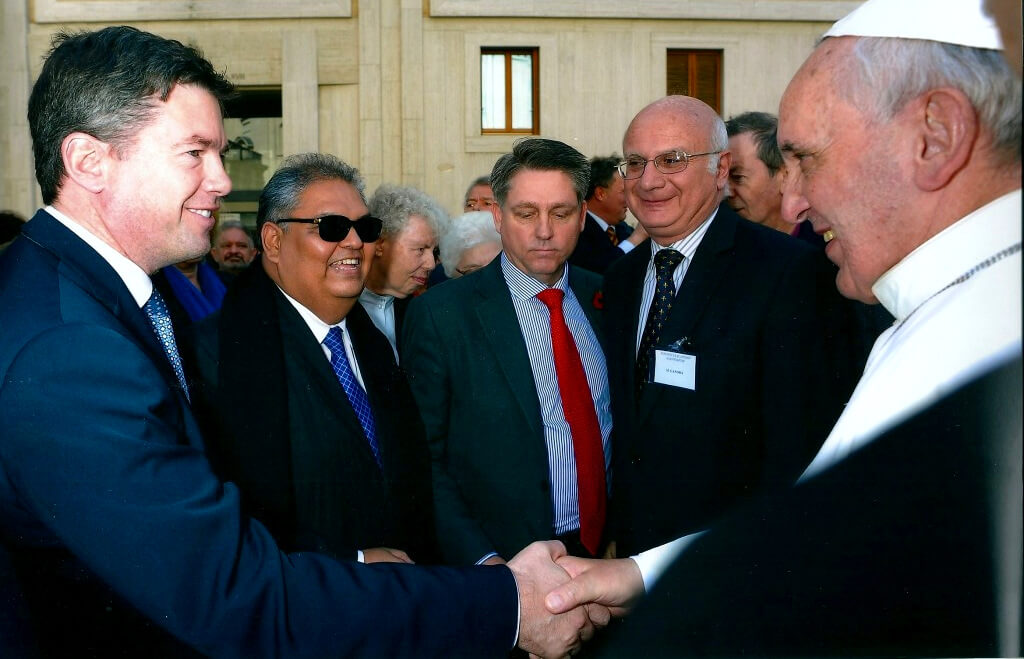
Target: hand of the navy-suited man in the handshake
542 634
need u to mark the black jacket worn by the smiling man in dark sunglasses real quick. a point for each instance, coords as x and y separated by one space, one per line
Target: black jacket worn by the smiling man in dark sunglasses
304 463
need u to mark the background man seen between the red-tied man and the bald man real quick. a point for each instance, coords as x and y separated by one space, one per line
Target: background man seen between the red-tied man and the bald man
606 235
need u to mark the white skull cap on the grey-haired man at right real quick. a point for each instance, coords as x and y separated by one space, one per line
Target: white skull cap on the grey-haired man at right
963 23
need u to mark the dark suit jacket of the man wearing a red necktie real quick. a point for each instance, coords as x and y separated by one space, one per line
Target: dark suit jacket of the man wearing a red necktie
471 373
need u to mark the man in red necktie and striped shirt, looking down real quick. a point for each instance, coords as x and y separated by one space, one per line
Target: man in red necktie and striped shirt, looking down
519 454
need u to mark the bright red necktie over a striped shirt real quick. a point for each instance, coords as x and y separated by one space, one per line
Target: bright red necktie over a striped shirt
578 407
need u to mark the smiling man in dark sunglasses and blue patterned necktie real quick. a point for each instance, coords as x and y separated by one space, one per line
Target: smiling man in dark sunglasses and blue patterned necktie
307 467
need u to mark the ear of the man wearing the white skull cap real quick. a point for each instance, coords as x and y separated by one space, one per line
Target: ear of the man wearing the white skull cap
948 134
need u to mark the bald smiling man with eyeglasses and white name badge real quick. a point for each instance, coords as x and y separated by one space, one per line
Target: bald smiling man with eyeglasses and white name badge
729 357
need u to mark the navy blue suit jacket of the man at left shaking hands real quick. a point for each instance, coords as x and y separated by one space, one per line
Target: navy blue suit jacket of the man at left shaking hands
123 541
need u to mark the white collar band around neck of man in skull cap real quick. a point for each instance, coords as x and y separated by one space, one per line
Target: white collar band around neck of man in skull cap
950 254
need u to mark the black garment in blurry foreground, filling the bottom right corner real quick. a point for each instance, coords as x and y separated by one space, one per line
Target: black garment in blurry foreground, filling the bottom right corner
910 547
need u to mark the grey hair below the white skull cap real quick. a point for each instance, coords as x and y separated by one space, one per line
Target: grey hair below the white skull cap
889 73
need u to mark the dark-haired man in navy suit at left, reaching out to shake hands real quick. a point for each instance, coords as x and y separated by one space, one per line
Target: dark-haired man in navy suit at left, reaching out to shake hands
122 541
